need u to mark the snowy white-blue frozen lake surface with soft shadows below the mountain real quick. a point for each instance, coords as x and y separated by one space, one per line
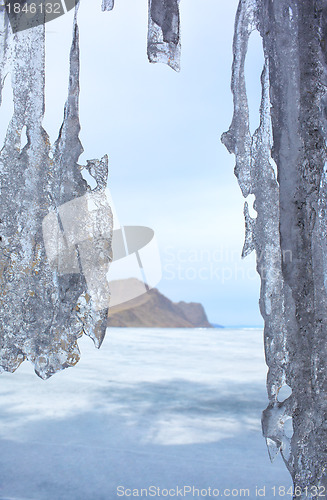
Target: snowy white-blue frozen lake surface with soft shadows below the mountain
161 408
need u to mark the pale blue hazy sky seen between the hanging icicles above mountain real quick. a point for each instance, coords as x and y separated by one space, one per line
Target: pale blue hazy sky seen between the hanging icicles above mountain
161 130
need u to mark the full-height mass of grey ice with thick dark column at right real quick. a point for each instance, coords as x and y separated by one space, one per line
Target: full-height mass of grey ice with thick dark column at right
289 233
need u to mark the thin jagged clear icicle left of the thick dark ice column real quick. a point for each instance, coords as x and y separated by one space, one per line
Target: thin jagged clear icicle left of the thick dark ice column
255 176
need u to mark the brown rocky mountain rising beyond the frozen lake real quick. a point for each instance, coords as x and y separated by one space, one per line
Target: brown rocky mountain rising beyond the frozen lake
153 309
